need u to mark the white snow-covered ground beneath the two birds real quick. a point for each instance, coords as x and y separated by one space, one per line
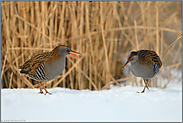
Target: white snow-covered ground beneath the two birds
116 104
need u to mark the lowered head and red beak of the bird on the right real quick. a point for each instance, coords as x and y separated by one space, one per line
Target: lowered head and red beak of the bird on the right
132 58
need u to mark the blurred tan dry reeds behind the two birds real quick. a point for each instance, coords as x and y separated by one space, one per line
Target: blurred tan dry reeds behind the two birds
104 32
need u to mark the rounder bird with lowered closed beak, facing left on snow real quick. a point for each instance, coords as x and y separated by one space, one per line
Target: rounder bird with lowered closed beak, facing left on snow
145 64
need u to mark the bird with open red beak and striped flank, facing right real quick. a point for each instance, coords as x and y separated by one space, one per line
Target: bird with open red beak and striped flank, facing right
47 65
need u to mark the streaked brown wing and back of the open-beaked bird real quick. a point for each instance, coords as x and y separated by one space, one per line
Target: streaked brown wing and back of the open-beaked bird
32 65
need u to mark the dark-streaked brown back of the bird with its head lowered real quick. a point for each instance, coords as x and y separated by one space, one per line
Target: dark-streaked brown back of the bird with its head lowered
146 55
